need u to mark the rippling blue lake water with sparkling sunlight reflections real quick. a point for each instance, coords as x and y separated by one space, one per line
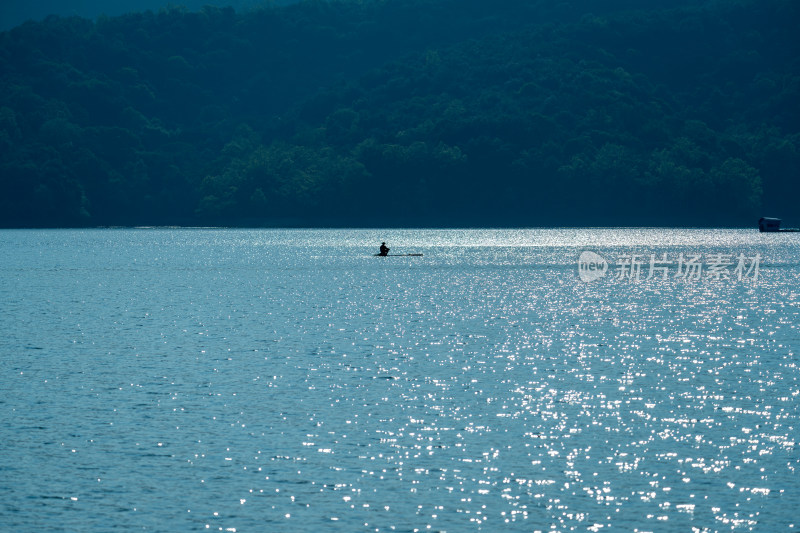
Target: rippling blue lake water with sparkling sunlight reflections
287 380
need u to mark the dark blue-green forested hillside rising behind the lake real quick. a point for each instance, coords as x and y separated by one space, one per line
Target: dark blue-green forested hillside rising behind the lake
406 112
